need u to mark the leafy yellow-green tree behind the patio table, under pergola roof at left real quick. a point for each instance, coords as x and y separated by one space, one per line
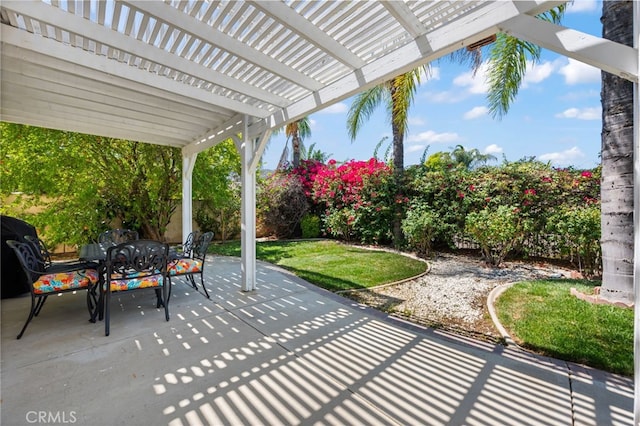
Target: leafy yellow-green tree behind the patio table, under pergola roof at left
79 182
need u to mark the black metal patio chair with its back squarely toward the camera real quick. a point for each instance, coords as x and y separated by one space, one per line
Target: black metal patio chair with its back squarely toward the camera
136 265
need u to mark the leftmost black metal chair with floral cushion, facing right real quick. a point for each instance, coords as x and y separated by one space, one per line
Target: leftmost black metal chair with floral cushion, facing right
46 282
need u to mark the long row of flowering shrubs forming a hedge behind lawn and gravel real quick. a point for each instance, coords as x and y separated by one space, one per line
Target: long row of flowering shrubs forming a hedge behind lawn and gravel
527 207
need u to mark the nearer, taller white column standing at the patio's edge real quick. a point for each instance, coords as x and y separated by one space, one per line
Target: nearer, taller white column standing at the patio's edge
248 214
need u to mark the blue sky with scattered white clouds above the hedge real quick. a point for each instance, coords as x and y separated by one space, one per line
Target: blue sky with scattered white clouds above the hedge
556 116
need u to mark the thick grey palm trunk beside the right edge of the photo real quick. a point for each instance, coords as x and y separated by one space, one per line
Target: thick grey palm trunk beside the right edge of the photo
617 163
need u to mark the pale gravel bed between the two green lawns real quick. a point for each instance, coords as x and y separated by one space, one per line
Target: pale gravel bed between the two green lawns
453 294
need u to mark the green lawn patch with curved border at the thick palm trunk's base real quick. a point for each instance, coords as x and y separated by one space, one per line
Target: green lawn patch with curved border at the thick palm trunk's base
545 317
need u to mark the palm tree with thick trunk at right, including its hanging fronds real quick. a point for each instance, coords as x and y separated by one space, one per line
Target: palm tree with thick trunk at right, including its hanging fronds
507 66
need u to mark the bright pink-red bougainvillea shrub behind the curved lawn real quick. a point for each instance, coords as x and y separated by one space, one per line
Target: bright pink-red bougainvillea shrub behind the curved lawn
358 199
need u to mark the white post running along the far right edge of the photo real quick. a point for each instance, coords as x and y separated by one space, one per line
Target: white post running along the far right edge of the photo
636 218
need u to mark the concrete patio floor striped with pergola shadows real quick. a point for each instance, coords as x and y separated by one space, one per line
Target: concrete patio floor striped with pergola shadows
286 354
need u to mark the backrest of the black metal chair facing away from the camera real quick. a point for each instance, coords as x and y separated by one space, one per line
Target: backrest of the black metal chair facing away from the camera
137 259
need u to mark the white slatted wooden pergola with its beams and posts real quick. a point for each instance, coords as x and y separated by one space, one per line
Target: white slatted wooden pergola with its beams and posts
190 74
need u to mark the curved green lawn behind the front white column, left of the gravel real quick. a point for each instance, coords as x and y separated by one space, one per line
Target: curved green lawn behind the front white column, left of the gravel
330 264
